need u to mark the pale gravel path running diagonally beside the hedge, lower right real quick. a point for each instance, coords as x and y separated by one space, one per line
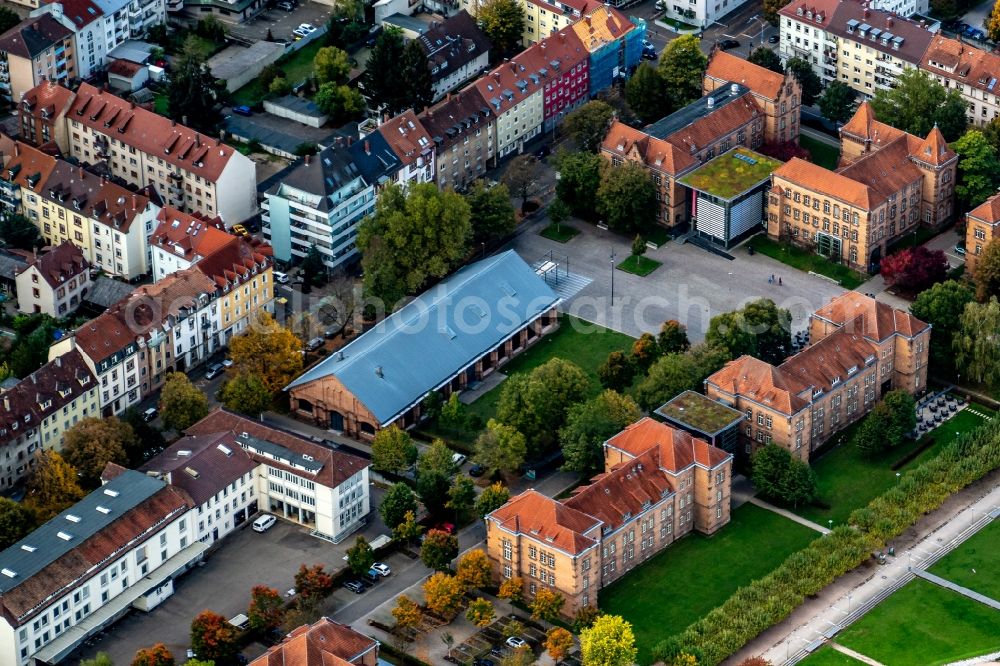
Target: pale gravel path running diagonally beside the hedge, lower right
849 597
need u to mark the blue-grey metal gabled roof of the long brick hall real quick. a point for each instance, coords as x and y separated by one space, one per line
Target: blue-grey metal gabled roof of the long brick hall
437 335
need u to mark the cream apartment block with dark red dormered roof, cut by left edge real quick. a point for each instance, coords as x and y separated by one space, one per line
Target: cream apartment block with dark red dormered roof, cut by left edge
37 410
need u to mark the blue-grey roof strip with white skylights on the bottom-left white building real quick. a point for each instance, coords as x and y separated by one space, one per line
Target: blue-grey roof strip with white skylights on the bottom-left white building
74 526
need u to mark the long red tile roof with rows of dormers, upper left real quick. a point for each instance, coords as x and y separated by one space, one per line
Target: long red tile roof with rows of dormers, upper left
151 133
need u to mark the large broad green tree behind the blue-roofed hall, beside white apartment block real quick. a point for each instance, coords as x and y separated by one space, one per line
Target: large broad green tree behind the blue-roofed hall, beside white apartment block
413 236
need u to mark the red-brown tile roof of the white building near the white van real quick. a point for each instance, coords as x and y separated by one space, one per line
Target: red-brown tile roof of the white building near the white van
337 465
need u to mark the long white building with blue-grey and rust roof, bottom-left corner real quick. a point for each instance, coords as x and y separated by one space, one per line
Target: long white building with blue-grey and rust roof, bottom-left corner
119 547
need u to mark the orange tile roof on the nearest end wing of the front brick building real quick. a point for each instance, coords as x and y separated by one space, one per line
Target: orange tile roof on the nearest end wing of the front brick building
533 514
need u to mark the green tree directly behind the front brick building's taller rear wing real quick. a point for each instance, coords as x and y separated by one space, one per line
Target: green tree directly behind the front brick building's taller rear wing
590 424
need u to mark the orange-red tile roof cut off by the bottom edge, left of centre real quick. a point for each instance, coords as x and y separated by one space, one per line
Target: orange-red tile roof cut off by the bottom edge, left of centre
323 643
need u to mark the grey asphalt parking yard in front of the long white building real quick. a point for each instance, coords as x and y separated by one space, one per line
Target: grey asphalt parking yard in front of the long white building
224 581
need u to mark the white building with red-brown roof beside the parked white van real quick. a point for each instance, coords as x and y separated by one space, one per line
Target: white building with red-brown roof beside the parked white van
296 479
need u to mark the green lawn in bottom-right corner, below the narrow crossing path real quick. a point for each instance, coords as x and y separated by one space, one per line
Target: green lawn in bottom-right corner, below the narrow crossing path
923 624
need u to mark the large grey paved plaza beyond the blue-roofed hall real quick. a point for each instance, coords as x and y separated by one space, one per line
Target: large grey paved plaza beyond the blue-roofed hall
691 286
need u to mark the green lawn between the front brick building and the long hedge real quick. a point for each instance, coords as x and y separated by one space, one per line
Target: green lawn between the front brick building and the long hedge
690 578
